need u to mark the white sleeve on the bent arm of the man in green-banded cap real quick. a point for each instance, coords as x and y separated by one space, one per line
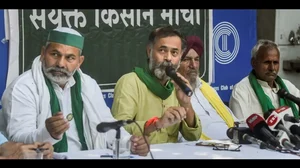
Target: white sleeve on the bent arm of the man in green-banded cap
20 108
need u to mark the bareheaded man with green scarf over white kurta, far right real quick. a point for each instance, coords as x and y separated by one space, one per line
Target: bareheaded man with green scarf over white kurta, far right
257 93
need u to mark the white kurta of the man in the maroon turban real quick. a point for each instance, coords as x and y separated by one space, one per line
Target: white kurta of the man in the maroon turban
213 125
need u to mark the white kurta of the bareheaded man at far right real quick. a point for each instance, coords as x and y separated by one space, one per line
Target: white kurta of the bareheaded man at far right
244 102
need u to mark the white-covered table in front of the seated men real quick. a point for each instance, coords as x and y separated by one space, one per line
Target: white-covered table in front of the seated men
188 150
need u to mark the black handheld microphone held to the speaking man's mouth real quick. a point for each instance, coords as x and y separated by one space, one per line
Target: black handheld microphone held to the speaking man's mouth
170 71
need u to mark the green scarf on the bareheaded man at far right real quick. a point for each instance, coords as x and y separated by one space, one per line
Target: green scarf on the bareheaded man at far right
265 101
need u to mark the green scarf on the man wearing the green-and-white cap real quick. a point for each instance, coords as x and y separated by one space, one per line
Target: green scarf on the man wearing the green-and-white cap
77 108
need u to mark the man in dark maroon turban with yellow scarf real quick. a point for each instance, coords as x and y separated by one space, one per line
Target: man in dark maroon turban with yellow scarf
215 116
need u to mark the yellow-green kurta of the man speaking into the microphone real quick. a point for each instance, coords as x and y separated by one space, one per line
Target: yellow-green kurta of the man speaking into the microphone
133 100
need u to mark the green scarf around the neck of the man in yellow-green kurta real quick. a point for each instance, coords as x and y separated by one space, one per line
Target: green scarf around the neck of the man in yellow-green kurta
153 84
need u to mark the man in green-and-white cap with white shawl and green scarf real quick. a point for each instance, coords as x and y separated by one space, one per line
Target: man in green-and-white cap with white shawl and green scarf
56 102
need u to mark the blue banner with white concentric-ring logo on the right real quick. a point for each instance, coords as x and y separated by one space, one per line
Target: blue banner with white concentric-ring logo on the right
234 35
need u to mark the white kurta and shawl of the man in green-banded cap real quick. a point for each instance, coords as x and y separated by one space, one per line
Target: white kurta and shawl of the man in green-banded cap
26 106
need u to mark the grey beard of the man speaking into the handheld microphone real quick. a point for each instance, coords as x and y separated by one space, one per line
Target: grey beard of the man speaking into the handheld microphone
158 69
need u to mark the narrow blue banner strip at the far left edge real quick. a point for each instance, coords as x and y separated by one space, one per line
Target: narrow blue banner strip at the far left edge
3 55
